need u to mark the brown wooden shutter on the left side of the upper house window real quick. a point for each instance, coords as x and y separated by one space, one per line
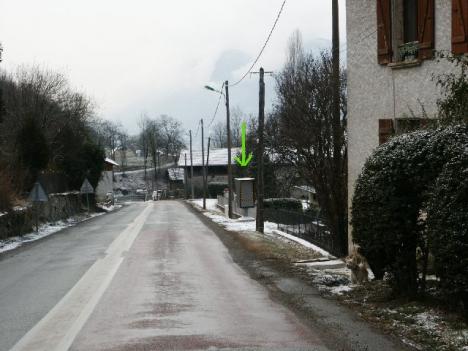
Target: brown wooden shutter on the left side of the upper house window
384 31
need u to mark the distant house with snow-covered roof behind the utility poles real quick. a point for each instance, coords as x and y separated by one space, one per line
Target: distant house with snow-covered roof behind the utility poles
217 165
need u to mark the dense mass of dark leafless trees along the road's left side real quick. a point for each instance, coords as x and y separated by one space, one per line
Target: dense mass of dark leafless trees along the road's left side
46 126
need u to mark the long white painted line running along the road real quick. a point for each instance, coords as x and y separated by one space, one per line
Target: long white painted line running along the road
57 330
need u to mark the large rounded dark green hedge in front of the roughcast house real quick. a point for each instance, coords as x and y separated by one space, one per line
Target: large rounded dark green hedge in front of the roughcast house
392 195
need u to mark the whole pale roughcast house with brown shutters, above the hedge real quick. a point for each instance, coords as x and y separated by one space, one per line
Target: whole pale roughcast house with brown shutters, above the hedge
391 68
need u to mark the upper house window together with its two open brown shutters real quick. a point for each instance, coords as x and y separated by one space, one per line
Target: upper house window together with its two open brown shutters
405 30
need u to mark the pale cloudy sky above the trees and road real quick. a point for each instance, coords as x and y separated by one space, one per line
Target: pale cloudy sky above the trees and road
155 56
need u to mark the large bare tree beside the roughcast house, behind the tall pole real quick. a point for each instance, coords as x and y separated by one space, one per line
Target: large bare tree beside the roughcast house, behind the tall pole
306 132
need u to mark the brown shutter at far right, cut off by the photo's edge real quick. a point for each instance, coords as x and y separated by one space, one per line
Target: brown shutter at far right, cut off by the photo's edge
459 26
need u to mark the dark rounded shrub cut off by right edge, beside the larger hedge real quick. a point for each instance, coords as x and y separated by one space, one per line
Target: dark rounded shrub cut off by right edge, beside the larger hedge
448 230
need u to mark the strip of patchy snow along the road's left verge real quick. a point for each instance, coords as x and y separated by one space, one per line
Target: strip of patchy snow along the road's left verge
45 229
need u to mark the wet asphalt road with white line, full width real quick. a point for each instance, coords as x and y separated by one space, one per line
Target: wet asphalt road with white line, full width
151 276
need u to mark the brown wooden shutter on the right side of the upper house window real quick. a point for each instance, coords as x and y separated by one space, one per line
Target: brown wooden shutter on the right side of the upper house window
426 28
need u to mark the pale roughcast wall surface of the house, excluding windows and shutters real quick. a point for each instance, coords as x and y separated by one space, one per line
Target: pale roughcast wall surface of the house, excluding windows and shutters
378 91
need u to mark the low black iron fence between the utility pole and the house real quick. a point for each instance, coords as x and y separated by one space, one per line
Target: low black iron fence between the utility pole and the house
305 226
